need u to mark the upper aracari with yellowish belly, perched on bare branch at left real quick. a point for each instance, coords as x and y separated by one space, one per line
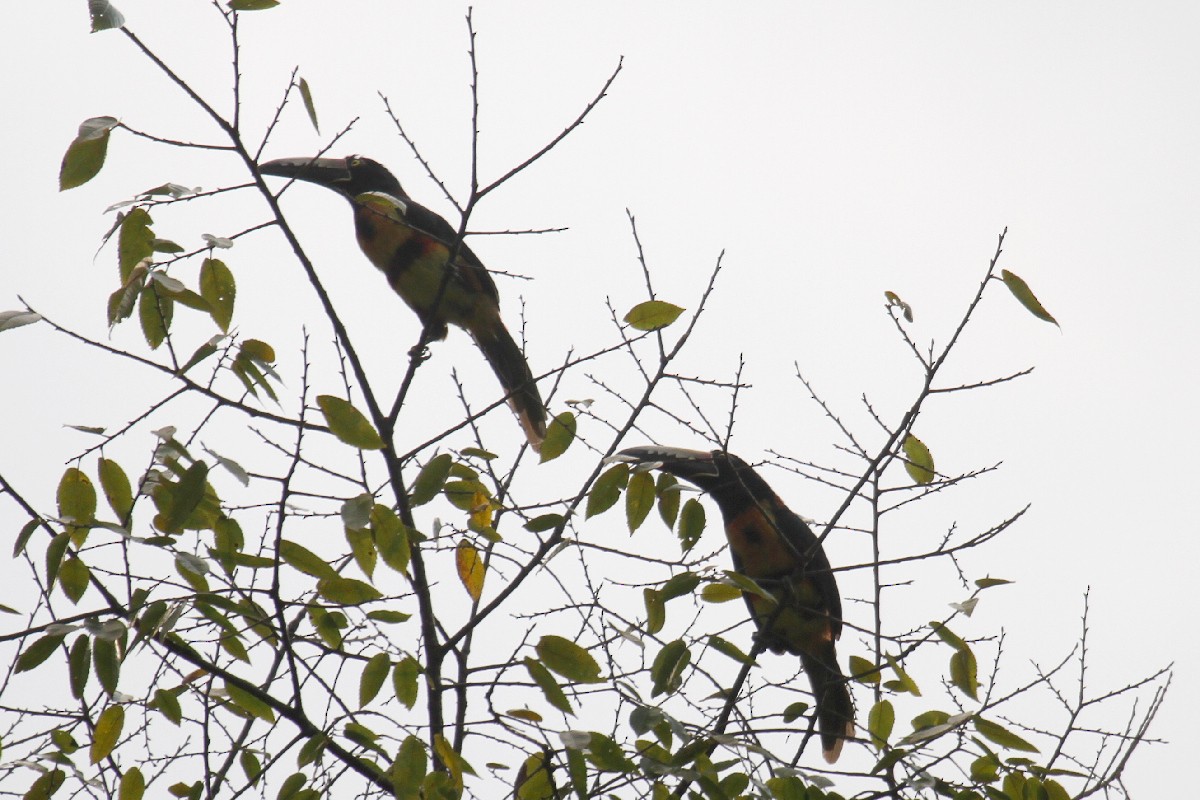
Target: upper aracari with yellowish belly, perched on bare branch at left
412 246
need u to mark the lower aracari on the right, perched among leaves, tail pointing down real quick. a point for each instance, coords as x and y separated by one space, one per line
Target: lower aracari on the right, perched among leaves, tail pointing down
782 555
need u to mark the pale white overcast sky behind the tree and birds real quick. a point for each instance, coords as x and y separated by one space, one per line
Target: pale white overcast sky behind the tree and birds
833 152
